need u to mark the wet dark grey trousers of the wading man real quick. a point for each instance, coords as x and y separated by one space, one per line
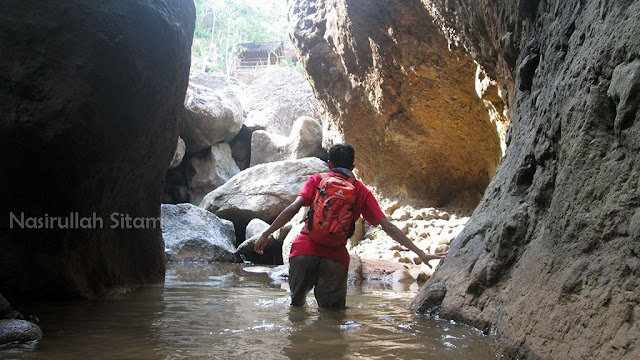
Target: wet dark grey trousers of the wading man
328 276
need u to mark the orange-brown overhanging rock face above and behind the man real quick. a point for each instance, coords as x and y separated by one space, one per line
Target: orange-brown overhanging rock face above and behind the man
395 90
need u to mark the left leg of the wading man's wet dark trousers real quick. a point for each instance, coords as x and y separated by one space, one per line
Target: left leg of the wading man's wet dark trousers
303 274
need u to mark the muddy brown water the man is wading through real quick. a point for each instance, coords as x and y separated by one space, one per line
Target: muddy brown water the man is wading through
234 311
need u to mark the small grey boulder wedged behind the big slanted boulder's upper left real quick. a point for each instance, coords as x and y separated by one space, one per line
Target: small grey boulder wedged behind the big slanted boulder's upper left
209 170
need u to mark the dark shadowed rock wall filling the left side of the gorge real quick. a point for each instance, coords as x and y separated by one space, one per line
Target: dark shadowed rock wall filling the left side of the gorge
89 93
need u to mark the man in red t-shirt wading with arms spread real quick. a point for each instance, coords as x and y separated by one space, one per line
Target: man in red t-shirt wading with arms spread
318 255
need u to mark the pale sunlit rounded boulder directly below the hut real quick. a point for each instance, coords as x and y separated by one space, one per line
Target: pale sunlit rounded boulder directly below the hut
277 98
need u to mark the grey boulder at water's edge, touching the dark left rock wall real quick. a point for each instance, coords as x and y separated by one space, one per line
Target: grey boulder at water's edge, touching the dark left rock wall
194 234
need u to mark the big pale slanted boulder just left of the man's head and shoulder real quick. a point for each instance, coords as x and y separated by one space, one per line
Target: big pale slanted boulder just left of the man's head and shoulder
261 192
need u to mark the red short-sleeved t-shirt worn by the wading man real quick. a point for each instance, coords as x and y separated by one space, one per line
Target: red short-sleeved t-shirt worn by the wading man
366 205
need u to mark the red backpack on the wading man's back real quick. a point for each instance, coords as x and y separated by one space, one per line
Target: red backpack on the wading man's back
330 218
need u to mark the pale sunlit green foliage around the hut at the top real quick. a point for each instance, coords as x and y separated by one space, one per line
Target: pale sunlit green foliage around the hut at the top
223 24
